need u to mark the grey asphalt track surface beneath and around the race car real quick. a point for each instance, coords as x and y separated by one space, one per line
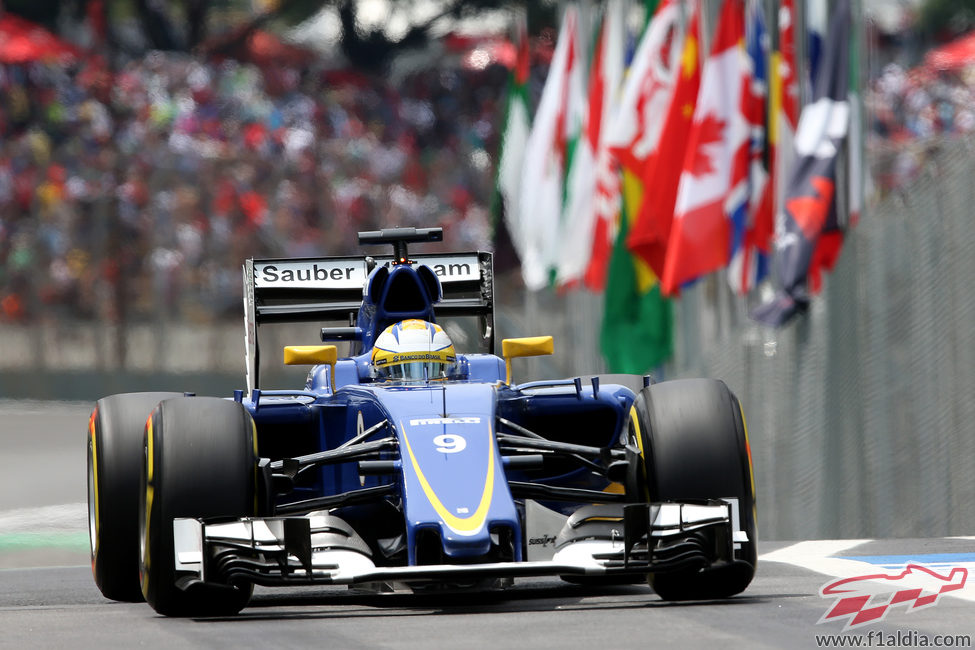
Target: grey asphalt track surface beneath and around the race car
48 598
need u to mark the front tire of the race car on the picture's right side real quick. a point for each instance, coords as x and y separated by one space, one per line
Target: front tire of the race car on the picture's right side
695 446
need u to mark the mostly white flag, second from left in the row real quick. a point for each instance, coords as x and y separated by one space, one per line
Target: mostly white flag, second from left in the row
546 154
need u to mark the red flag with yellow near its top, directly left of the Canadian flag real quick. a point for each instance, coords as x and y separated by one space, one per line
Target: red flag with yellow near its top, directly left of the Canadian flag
651 230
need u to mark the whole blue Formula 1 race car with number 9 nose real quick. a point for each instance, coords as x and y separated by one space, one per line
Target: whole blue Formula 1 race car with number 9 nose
410 465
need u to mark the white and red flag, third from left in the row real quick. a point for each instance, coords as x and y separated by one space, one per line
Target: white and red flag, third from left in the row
592 185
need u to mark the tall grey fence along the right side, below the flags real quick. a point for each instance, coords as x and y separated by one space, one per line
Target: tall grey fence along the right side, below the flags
860 412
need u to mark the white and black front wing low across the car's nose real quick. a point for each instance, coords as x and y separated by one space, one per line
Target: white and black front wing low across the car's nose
310 550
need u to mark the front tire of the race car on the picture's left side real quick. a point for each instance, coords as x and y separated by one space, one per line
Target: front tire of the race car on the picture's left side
200 461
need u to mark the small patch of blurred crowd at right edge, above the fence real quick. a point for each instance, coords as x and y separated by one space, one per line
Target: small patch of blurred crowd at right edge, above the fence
911 110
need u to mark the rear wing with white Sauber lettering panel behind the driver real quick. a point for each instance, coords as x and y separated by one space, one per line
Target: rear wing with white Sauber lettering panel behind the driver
330 289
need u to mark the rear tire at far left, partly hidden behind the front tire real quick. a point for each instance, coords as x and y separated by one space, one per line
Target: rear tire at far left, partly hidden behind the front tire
115 431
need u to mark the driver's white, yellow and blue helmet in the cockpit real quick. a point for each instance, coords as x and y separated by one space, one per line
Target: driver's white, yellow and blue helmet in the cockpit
413 350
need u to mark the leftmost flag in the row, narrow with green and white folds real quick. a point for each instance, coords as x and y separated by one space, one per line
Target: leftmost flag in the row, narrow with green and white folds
514 135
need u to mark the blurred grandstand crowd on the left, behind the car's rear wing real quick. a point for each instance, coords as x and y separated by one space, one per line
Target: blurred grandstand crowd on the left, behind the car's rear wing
137 193
